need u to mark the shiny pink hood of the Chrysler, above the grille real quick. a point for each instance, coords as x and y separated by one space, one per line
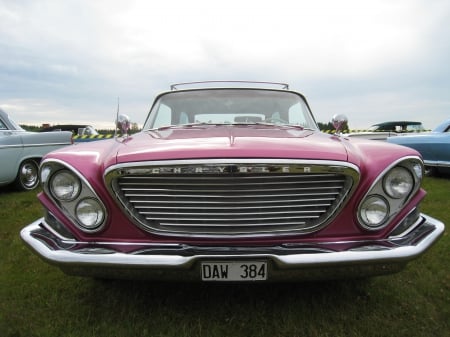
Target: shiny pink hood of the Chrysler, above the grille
231 141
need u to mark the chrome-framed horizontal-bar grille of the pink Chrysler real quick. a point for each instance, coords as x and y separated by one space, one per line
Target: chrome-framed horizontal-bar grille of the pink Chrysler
232 198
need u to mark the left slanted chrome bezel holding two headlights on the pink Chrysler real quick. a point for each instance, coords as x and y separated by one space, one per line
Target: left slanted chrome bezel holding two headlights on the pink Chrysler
69 190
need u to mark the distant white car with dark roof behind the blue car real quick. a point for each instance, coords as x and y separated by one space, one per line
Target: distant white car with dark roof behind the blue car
382 131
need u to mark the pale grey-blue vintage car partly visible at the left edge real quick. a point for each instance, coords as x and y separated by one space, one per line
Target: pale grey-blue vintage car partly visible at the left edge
21 152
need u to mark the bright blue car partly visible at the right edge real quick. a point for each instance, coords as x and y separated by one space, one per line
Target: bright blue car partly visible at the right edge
434 147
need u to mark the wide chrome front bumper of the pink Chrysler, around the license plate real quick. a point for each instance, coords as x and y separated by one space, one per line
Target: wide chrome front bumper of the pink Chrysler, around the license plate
286 262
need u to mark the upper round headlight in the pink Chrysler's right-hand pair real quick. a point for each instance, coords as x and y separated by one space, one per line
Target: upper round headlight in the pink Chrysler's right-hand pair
398 183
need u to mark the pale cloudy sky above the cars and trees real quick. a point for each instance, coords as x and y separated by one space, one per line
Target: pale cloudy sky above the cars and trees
376 60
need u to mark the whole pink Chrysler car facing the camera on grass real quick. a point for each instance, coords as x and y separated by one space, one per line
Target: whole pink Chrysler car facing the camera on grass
231 183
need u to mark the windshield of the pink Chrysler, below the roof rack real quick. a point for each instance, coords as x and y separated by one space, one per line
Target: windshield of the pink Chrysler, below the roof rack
230 106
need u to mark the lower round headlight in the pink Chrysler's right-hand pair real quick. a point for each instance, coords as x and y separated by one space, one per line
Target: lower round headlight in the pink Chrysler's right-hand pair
374 211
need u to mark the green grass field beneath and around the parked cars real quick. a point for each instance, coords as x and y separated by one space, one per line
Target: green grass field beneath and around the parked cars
39 300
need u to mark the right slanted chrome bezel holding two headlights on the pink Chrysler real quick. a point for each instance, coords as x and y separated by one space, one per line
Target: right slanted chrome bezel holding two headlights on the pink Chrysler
397 184
